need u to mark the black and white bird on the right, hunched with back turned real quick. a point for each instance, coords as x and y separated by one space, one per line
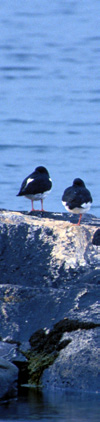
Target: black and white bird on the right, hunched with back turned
77 198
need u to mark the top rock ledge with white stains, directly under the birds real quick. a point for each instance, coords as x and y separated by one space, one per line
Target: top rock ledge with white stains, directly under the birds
44 250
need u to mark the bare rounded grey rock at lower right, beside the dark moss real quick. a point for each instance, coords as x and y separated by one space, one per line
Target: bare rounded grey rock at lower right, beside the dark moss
77 366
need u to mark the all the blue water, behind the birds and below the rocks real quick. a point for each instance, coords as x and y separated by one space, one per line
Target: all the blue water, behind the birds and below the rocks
50 116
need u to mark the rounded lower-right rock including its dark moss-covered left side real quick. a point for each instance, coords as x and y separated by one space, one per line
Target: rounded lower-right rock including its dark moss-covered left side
45 348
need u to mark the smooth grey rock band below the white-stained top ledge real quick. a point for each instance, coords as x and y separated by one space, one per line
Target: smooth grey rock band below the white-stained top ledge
25 310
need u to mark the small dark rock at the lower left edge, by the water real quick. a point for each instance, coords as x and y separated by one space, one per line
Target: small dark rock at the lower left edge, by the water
8 379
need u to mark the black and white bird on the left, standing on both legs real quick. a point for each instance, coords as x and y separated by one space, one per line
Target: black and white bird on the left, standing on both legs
35 185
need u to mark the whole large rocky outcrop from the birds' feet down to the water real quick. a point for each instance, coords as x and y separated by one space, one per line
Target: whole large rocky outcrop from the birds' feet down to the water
49 271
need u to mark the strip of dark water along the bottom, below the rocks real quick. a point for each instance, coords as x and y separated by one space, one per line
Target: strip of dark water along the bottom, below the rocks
50 407
